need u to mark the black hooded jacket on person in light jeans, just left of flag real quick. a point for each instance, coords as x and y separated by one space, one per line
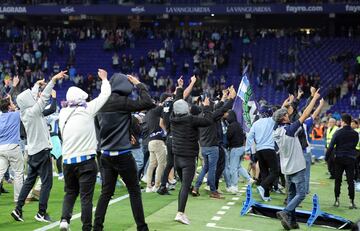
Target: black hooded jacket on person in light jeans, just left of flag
234 134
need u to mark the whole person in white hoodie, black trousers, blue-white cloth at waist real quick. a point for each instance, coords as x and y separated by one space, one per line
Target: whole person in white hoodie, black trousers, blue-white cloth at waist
77 129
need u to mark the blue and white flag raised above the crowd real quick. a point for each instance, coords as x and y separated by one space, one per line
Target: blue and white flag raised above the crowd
245 105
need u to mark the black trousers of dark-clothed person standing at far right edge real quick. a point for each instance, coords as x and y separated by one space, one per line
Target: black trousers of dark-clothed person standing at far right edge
344 164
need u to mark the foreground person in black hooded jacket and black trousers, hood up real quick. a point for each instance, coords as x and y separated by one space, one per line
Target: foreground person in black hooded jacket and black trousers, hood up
113 124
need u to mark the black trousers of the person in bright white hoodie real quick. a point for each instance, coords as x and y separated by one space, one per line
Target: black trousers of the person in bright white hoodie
79 178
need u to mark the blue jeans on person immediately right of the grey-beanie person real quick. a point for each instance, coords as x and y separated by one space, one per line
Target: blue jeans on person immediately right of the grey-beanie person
211 156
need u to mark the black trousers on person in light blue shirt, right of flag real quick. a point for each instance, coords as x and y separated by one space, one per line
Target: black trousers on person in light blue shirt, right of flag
269 168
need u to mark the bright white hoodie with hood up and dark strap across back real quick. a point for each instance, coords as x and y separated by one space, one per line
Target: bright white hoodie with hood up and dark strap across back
78 135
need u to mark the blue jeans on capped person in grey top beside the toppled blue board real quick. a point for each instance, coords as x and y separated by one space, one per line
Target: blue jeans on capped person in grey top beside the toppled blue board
296 192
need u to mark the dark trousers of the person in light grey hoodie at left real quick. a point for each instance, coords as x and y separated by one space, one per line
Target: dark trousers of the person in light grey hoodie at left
39 165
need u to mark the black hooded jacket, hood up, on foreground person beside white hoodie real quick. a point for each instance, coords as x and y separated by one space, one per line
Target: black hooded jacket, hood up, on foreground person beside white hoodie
113 121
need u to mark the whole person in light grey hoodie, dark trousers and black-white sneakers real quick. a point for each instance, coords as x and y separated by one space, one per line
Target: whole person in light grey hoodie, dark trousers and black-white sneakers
39 146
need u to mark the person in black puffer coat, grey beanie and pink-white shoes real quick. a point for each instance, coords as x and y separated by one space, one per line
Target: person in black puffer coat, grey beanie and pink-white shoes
185 147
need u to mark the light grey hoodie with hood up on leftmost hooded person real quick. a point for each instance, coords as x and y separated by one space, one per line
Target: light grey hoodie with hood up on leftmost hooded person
38 136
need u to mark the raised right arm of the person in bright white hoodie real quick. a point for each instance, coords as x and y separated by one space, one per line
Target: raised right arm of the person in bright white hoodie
96 104
